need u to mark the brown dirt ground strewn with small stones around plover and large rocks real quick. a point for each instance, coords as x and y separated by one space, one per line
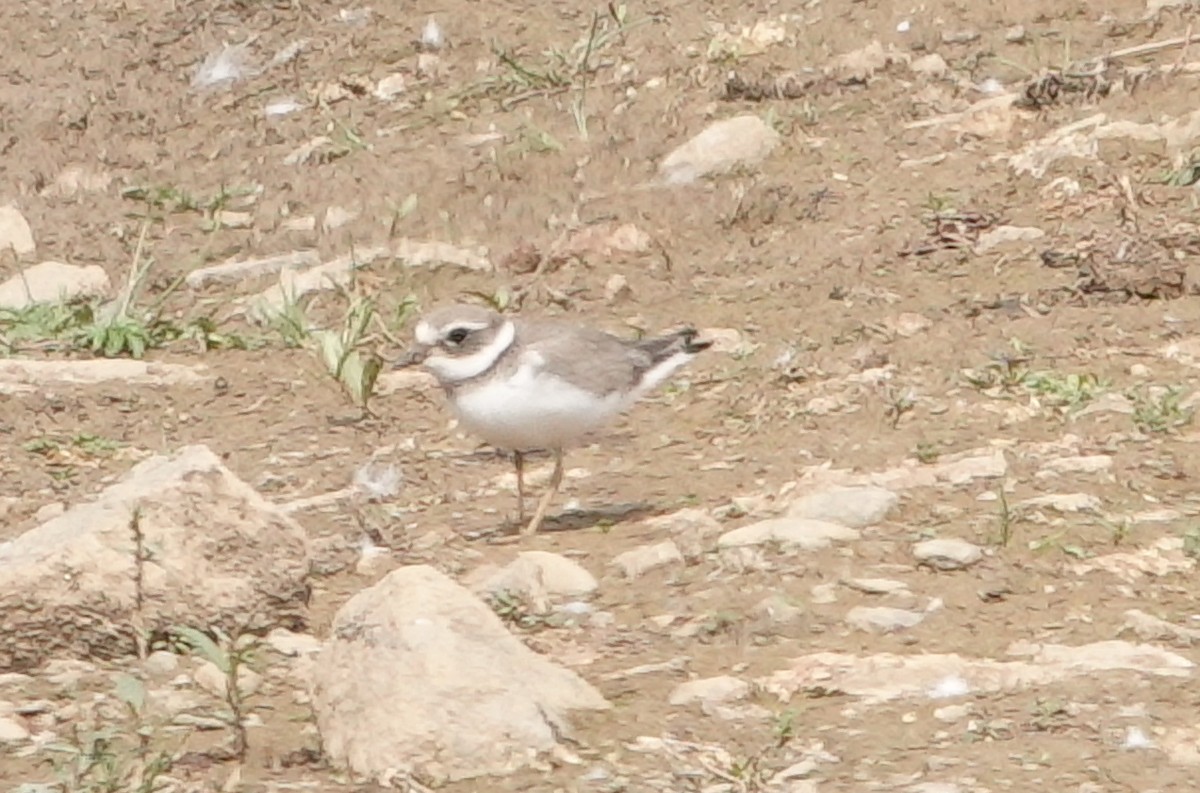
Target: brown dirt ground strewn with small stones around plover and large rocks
862 326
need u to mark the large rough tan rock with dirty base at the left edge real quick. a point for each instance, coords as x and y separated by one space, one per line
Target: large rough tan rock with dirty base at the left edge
214 554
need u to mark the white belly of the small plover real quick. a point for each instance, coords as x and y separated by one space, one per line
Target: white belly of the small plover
533 411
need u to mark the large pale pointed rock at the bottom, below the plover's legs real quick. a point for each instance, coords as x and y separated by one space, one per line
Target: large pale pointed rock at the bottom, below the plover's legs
421 677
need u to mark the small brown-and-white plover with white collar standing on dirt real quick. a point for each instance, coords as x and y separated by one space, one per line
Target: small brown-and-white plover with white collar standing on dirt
532 385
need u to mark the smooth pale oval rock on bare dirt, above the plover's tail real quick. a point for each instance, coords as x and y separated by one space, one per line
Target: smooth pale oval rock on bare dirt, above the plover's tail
722 147
